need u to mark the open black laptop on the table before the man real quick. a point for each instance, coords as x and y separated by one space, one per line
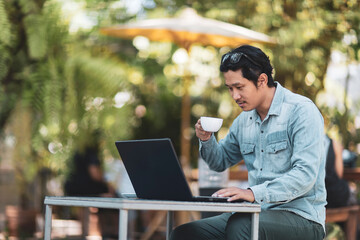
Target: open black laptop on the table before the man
155 171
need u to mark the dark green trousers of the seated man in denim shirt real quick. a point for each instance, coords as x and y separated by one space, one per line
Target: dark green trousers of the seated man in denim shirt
273 225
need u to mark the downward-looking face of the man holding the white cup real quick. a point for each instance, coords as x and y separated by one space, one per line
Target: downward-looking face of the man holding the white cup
242 90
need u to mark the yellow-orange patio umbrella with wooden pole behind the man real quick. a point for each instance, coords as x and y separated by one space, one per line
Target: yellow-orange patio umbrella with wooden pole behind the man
185 30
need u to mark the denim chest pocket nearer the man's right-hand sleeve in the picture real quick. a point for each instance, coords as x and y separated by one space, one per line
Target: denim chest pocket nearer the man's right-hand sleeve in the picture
278 156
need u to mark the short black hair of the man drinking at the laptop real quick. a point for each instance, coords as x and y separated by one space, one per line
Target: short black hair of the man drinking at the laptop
252 63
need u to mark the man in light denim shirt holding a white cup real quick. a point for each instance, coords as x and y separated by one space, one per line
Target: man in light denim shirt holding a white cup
279 135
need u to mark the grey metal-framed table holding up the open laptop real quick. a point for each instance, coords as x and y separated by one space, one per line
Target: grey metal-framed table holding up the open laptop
124 204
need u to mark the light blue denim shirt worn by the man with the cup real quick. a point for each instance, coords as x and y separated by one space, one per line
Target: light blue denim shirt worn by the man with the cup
284 155
